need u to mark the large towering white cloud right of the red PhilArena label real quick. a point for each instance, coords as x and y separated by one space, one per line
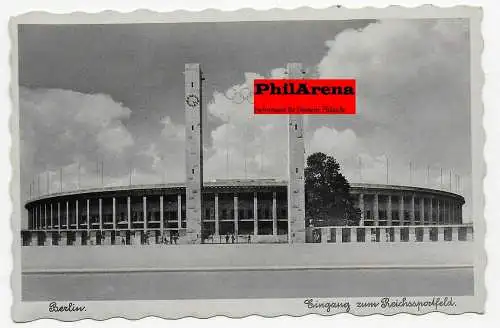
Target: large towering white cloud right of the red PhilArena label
412 98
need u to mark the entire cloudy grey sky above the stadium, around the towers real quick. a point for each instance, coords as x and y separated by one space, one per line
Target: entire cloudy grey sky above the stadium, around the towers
114 94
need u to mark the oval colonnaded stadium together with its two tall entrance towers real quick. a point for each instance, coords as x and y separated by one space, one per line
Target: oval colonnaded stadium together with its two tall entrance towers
236 211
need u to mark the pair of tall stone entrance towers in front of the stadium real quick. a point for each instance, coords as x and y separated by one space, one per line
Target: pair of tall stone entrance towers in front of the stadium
193 103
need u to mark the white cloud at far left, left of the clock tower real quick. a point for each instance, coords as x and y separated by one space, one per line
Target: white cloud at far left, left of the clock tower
66 130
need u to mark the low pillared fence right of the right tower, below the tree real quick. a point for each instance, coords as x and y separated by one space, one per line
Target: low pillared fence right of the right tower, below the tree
389 234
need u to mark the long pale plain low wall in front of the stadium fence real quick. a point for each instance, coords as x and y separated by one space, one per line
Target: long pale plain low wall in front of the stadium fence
245 256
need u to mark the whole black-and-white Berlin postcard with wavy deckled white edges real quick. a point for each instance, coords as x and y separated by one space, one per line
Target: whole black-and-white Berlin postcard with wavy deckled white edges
280 162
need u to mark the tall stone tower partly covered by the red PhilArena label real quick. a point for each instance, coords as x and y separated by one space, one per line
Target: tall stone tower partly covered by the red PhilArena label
296 151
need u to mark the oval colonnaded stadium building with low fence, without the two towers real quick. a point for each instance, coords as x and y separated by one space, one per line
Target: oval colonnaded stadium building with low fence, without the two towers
253 211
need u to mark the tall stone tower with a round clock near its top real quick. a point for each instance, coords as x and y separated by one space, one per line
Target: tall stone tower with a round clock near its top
194 151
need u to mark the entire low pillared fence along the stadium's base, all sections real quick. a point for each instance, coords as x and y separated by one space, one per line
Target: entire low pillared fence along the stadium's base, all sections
337 234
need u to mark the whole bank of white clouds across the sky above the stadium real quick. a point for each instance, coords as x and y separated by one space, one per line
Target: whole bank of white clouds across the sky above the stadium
412 79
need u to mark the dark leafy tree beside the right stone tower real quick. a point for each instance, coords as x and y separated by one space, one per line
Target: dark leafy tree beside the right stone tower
327 193
